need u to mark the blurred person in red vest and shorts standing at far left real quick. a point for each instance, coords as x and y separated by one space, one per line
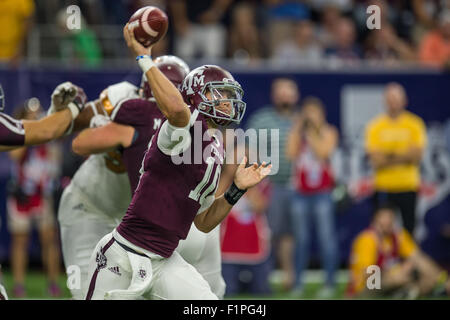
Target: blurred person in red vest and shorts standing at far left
30 202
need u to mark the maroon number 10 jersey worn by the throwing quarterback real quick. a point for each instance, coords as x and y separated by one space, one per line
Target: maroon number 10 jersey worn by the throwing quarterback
169 195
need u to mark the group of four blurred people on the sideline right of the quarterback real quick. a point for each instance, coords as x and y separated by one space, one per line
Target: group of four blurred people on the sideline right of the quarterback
301 199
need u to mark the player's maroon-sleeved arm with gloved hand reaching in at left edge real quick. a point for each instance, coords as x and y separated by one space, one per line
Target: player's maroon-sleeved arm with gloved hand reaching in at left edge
67 102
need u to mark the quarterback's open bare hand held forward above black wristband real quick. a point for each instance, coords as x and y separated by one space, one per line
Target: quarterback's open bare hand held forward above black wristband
245 178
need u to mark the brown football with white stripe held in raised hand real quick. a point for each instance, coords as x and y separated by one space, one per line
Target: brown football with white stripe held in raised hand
149 25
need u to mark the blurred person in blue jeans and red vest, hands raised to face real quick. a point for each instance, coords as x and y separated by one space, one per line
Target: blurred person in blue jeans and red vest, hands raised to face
310 146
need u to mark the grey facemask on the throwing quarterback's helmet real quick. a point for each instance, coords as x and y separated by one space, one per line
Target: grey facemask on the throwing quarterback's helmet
217 93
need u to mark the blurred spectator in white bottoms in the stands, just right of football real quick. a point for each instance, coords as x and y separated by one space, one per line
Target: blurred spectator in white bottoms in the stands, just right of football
198 28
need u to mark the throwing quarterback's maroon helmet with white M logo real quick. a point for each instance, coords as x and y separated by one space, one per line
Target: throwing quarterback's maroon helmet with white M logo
213 91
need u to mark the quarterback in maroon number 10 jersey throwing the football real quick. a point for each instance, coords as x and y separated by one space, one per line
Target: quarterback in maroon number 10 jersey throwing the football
169 197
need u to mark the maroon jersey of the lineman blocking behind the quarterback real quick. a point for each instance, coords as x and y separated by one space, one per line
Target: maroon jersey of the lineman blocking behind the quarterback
145 117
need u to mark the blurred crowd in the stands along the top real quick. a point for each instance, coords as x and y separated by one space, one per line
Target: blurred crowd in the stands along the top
282 33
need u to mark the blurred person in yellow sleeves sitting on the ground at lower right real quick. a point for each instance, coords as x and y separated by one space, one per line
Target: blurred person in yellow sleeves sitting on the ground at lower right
406 272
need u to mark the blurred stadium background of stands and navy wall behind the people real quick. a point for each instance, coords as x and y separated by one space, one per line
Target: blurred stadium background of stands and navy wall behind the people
324 45
